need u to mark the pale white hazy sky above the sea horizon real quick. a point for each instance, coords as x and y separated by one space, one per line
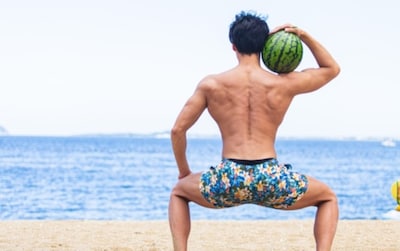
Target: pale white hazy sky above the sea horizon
88 66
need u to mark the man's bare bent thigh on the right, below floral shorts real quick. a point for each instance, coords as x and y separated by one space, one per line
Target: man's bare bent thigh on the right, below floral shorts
316 193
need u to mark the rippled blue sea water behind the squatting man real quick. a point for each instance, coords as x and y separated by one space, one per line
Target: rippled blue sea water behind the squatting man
130 177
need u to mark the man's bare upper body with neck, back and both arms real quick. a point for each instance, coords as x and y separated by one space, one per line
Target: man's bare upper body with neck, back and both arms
249 103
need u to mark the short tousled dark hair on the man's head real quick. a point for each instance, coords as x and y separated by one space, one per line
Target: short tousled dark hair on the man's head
248 32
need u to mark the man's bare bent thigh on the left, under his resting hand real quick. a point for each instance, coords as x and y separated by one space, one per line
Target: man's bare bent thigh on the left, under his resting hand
189 189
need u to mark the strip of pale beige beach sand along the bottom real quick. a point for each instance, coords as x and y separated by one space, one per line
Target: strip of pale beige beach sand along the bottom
354 235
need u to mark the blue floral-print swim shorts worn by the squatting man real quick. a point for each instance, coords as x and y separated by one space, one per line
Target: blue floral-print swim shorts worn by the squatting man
264 182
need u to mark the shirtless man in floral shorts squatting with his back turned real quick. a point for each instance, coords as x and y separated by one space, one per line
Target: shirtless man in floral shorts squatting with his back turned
248 104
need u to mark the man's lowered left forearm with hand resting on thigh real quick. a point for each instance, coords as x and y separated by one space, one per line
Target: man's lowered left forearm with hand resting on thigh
179 143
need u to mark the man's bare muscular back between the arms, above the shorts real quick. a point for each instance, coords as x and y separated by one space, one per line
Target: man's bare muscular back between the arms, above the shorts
248 105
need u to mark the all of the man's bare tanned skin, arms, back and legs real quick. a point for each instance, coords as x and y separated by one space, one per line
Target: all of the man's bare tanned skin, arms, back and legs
248 104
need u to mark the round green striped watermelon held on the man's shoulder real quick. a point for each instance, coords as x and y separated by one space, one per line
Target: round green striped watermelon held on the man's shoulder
282 52
